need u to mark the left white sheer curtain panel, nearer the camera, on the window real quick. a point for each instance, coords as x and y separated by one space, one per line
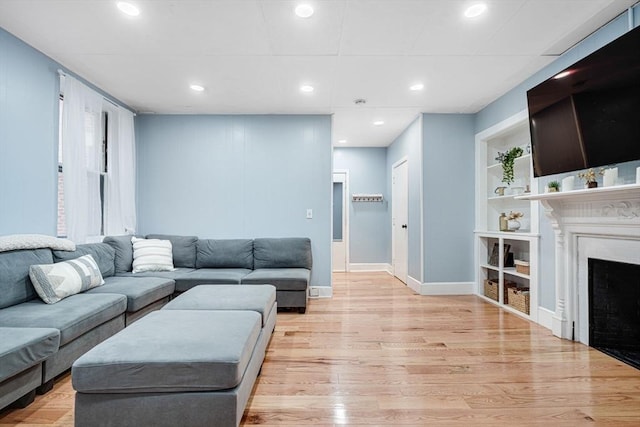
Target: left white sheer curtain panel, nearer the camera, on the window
81 154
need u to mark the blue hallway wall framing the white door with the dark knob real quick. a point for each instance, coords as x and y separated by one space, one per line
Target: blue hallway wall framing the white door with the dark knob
409 144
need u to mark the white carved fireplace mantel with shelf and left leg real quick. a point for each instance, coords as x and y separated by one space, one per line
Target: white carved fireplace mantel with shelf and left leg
611 214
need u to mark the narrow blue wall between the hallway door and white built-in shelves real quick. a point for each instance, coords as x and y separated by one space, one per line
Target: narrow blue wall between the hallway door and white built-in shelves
448 201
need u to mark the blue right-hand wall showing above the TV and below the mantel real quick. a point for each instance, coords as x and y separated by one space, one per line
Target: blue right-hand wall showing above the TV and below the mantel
515 101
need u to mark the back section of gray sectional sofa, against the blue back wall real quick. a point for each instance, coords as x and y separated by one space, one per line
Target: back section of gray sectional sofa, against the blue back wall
282 262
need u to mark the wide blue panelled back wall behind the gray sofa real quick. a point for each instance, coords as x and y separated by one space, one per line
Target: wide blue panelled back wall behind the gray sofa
237 177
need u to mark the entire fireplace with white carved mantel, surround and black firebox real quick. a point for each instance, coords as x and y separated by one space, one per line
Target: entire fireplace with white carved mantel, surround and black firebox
593 224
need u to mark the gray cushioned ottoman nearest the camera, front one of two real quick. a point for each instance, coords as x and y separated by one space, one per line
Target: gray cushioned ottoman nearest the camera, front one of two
172 367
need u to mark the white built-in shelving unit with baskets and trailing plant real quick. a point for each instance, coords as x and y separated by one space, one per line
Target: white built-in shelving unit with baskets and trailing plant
492 245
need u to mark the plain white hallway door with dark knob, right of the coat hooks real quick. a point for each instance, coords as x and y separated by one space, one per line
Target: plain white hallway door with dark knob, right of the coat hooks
400 220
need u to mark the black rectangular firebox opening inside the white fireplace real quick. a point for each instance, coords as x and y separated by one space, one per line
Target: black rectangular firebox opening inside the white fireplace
614 309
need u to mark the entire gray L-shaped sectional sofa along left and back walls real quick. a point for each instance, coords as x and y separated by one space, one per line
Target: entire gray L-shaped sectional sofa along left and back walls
55 335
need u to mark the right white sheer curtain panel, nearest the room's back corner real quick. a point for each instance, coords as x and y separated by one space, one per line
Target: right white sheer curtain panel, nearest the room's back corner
120 207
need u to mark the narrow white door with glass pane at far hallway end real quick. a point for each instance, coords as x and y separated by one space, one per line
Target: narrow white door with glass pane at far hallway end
340 222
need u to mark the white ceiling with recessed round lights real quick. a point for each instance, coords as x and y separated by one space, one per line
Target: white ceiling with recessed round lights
253 55
